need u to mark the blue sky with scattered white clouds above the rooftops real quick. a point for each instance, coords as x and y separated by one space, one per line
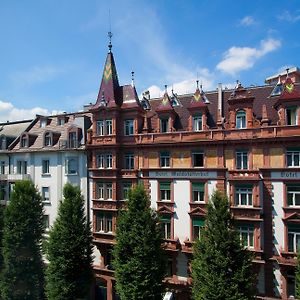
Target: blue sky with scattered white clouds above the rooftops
52 52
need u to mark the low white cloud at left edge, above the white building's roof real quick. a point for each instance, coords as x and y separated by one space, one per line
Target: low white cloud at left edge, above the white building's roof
8 112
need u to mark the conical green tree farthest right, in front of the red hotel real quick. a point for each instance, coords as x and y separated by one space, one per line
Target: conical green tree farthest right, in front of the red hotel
222 267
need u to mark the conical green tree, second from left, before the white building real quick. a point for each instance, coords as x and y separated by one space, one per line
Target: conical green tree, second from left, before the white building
69 250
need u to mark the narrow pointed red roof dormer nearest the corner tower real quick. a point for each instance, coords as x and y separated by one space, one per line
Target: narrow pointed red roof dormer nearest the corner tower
166 114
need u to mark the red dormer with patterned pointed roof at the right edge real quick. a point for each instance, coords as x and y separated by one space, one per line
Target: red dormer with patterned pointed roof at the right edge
288 104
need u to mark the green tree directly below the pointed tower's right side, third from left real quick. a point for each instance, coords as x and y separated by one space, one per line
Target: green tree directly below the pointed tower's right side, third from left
138 257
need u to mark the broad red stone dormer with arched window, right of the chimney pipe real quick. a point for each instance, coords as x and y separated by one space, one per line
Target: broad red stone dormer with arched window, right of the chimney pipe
241 109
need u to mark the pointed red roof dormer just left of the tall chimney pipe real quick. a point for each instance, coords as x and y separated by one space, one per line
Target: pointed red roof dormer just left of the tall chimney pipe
198 111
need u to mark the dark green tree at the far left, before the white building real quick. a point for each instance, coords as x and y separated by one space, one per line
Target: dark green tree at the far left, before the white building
22 276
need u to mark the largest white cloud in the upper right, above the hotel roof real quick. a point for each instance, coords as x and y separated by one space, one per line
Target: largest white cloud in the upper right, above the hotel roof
237 59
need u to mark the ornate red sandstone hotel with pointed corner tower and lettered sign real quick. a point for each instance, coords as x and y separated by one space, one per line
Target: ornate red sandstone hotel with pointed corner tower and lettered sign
243 141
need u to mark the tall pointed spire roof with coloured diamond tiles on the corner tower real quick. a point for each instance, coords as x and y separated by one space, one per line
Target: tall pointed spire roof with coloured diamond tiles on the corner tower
108 92
